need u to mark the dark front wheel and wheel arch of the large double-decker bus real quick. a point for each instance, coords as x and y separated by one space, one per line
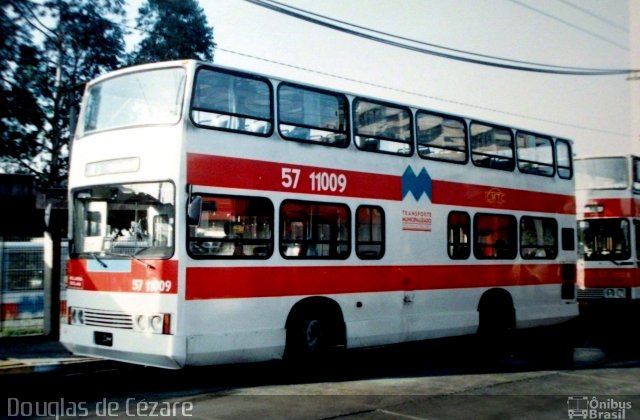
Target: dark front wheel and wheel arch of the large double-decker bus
314 326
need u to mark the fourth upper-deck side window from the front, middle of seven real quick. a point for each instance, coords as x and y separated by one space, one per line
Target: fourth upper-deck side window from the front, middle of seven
441 137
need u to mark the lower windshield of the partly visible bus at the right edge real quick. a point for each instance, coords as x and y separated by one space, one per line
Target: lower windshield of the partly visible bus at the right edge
604 239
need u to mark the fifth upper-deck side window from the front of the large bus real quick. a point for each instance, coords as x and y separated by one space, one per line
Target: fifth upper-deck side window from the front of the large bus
492 146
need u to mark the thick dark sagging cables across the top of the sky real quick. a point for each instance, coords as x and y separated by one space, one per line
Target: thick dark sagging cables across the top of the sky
306 16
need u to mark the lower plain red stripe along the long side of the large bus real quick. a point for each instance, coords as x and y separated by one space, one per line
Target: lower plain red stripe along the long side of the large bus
254 282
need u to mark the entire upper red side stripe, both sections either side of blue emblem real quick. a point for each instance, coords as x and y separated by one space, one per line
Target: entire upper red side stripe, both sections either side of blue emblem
251 174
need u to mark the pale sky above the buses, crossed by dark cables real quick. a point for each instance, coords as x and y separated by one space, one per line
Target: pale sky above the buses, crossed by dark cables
598 113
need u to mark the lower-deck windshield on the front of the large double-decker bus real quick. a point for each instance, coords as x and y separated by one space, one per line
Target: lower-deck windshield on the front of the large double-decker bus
125 221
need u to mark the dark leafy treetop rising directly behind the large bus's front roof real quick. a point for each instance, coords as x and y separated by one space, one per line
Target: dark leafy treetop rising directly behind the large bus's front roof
173 30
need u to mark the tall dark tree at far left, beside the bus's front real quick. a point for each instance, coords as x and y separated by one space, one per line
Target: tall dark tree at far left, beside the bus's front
44 82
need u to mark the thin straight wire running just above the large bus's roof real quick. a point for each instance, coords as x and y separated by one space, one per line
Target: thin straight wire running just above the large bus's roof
422 95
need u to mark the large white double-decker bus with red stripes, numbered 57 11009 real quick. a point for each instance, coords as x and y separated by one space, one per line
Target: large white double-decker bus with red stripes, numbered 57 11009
222 216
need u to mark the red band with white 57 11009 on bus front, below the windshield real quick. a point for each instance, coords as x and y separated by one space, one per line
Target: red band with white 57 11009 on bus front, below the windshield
162 278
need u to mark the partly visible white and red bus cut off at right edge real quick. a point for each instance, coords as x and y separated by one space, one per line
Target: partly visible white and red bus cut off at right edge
608 201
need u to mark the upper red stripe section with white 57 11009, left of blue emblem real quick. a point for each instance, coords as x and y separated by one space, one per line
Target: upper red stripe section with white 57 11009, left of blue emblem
272 176
